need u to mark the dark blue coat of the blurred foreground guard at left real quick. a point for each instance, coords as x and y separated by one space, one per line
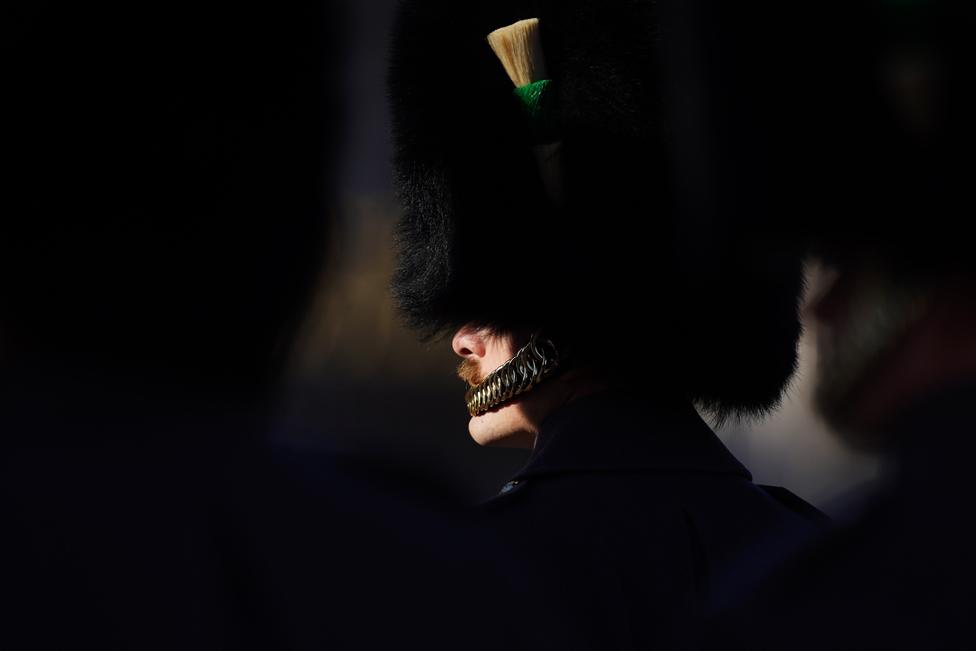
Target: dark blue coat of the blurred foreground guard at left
179 541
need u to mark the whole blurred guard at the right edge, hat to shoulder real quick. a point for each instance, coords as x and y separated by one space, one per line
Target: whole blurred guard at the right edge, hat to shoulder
896 342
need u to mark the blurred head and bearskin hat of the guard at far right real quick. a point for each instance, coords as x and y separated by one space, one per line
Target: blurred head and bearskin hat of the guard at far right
894 314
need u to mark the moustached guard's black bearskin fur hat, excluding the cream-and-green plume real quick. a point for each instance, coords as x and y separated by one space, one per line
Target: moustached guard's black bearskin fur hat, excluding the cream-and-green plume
611 272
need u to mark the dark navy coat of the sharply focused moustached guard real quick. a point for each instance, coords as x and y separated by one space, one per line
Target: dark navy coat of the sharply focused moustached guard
632 522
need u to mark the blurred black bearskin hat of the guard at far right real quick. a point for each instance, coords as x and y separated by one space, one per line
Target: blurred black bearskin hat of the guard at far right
902 191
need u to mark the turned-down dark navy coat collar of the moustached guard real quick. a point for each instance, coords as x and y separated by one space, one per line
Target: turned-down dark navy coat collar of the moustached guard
610 431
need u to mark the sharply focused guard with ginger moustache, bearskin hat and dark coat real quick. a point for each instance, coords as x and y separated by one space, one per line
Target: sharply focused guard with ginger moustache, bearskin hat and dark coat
590 318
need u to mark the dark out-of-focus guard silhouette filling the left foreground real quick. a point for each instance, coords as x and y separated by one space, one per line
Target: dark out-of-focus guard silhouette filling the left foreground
167 170
